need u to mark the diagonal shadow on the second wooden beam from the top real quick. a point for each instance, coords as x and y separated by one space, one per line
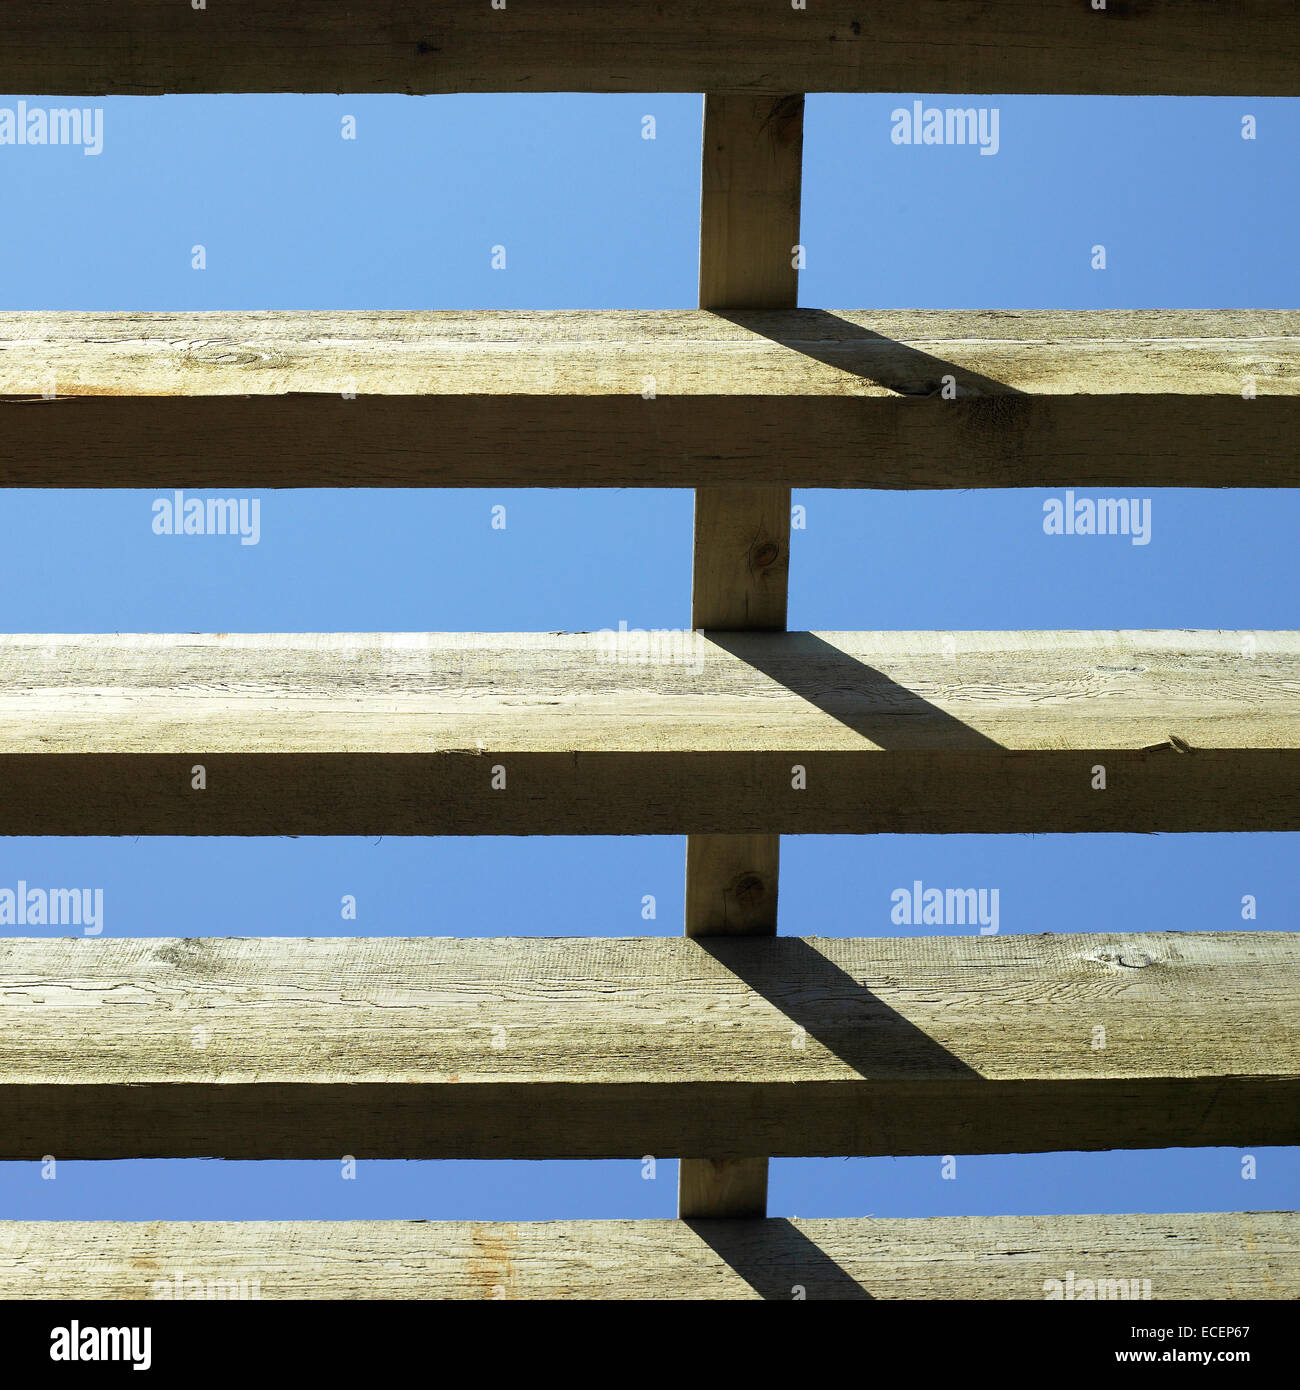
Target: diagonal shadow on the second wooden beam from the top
867 355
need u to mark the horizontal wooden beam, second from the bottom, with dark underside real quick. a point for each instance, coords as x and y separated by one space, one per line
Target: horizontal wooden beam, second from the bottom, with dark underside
675 1047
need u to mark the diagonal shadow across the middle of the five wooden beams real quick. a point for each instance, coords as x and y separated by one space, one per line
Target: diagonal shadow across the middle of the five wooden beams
859 696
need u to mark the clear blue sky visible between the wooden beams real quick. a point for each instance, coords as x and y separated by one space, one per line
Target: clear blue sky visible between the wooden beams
593 216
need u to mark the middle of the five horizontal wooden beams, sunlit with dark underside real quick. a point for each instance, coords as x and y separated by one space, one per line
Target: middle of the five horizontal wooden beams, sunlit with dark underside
663 733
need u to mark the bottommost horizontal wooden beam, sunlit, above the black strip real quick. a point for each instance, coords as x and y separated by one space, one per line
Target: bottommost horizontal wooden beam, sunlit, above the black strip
1241 1256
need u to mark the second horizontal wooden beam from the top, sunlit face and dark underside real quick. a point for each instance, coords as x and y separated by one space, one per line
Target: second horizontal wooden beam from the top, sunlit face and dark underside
746 398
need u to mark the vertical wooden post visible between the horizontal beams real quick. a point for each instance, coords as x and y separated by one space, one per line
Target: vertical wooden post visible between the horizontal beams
749 231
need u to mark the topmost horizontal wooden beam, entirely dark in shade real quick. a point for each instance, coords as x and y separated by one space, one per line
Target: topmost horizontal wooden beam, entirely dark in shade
152 47
